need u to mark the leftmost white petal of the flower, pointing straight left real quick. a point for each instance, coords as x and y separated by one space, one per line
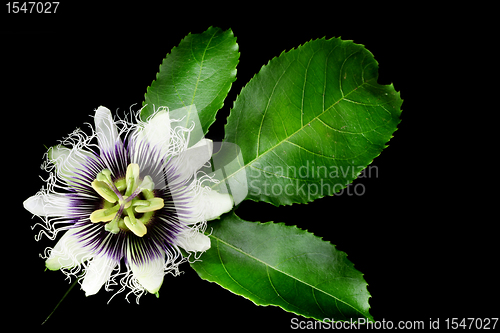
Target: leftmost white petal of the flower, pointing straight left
47 205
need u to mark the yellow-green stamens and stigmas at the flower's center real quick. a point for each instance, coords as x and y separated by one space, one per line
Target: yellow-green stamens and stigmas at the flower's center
128 203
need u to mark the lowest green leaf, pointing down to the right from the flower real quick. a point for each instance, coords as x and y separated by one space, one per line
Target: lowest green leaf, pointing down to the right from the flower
274 264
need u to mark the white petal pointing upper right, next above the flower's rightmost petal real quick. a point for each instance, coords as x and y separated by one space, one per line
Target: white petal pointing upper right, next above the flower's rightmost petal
193 158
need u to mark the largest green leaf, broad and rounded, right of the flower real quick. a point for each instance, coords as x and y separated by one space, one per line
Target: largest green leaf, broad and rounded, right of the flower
311 120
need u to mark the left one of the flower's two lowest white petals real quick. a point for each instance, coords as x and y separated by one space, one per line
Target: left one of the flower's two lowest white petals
97 273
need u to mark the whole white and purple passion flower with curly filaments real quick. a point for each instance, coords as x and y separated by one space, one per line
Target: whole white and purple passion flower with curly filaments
127 206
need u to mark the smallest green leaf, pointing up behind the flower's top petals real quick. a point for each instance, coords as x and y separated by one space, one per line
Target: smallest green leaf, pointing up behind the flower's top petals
199 71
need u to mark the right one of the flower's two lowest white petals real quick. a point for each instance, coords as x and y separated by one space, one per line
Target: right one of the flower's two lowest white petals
150 274
